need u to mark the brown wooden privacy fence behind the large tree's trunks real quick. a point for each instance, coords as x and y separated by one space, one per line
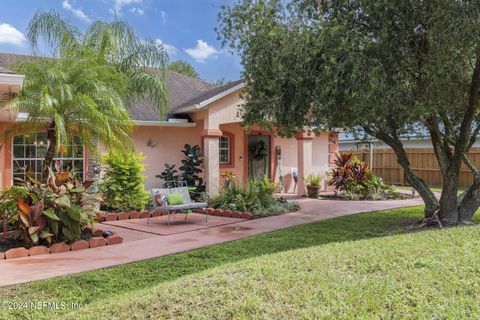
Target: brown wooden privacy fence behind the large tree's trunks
423 162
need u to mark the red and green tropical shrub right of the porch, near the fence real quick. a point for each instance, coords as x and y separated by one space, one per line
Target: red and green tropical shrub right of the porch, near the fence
353 177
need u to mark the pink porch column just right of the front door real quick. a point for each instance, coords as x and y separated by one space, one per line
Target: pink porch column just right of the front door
304 160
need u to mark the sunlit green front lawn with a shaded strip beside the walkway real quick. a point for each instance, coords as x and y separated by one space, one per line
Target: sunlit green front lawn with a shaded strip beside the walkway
360 266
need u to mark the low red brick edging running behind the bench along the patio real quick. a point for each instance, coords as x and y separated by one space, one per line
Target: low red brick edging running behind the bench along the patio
114 216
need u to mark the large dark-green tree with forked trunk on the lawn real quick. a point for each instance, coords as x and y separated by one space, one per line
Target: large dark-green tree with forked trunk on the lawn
383 68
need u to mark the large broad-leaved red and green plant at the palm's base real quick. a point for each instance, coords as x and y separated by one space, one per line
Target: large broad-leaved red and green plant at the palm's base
49 213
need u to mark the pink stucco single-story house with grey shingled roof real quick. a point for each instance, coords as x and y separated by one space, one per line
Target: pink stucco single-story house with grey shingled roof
200 113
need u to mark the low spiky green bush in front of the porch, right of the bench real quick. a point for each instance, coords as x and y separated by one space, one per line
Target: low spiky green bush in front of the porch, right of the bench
256 197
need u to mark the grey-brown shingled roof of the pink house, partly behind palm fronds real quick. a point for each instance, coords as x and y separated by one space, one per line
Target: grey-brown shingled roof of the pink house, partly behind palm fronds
182 90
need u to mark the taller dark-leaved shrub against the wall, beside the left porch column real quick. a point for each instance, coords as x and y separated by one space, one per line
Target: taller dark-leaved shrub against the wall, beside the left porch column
190 170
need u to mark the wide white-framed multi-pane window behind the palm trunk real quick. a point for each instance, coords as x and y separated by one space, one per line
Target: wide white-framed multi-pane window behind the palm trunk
28 153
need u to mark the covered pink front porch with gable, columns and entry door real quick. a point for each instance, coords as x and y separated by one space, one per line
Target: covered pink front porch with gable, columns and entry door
252 153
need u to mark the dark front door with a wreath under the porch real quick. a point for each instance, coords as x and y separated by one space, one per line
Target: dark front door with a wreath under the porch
258 156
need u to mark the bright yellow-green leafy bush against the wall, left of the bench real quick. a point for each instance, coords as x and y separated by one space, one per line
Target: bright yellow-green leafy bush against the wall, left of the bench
122 186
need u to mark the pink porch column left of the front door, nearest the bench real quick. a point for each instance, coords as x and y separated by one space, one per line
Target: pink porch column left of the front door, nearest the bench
212 163
